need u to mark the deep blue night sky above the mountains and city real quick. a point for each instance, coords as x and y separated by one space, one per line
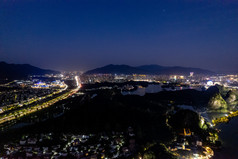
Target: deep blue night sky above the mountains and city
84 34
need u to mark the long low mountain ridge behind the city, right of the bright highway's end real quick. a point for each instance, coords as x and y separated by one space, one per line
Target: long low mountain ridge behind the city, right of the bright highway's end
147 69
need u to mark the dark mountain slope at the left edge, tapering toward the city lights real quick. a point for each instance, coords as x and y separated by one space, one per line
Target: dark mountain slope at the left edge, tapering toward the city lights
20 71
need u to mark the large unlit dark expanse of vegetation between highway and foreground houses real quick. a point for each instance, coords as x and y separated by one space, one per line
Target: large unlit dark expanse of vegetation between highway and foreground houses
155 119
